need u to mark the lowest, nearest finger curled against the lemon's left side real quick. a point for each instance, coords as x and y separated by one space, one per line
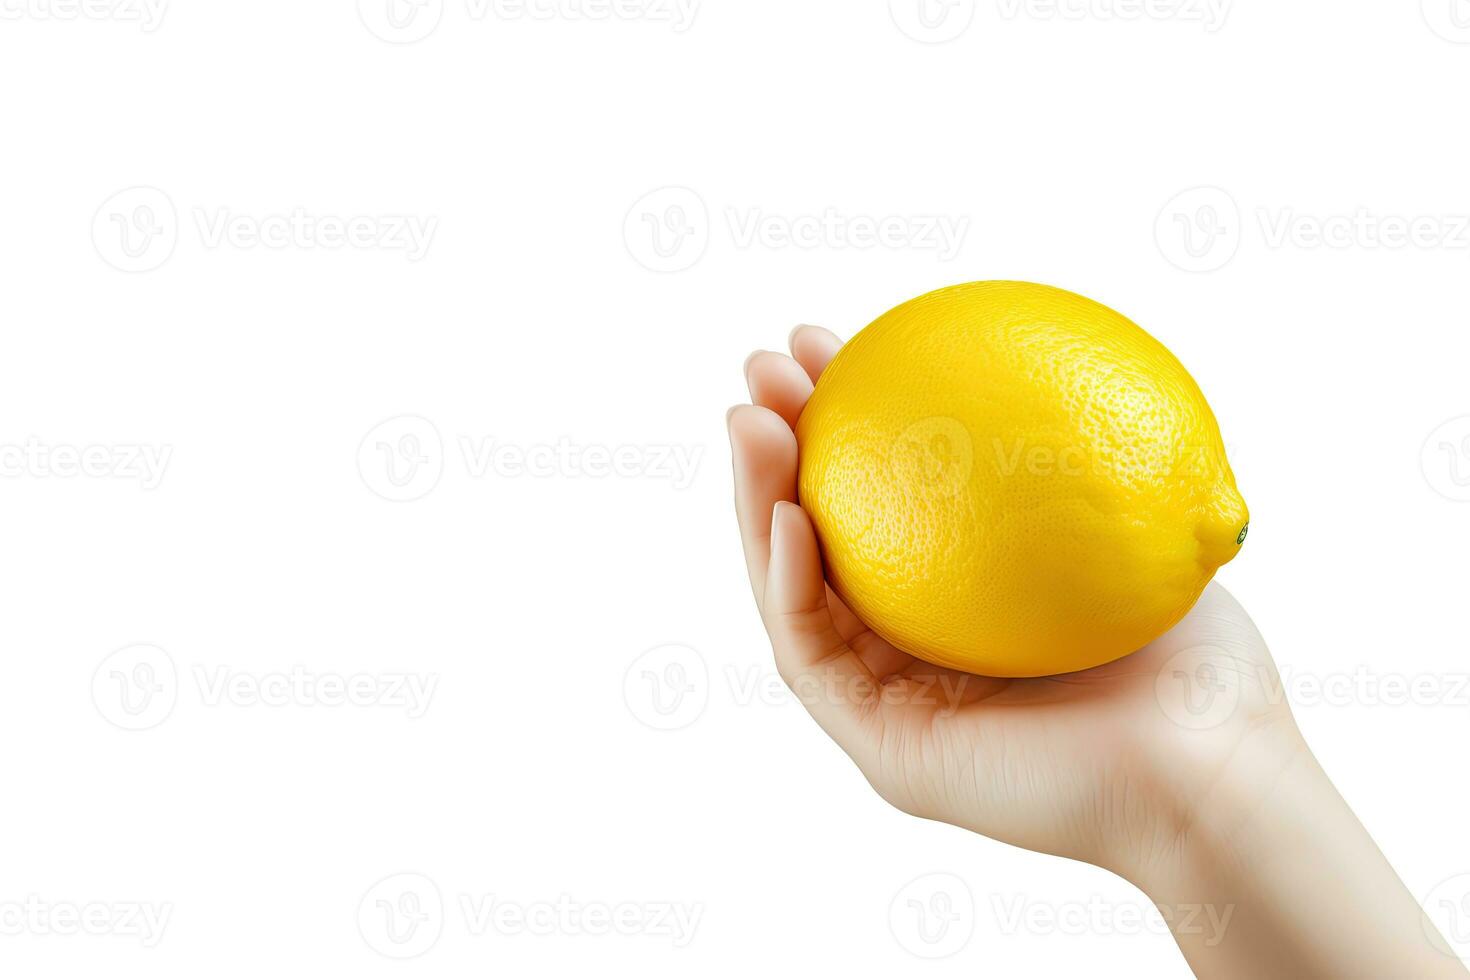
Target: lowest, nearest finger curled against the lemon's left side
814 659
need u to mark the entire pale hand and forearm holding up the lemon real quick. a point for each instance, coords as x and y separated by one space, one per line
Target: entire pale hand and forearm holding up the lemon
1228 812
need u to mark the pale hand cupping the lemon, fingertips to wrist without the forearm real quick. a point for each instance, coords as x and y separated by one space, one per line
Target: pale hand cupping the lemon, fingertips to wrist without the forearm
1047 763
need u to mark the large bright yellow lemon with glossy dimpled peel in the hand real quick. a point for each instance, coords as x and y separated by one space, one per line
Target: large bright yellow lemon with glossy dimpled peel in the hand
1015 481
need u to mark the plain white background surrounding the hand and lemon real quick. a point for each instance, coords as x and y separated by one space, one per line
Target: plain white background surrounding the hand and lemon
1068 148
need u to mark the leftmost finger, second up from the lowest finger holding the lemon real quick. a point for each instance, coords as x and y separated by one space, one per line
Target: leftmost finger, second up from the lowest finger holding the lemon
764 453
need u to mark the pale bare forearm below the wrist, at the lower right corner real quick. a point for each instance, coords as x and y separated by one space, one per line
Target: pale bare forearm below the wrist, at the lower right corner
1296 879
